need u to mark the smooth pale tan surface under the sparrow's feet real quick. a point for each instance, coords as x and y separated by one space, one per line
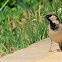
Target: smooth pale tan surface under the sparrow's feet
37 52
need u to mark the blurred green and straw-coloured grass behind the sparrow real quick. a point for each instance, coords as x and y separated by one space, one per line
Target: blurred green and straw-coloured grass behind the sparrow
22 22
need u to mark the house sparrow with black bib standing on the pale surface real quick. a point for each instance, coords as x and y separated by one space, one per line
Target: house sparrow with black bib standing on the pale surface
55 29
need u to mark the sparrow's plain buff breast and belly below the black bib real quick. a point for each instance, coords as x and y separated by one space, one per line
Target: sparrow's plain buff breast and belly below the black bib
56 36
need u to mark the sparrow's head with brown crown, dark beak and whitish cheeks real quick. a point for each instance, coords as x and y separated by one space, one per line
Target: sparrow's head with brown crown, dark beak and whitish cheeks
52 18
